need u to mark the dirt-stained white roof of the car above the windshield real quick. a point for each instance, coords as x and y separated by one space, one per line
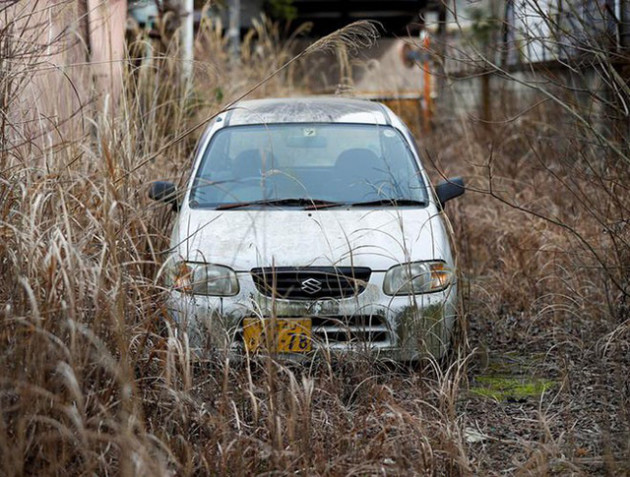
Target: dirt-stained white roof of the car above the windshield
315 109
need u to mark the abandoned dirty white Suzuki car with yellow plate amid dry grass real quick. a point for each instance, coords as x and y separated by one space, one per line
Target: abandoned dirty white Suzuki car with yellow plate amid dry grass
309 224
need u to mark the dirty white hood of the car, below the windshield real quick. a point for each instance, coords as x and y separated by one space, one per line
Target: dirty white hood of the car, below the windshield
375 238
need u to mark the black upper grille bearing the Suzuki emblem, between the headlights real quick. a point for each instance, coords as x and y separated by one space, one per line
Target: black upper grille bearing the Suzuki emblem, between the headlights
311 283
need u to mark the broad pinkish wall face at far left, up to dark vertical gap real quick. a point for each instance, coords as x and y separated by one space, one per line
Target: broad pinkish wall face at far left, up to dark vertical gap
48 82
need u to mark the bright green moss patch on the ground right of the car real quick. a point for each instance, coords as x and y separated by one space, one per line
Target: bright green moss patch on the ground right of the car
510 388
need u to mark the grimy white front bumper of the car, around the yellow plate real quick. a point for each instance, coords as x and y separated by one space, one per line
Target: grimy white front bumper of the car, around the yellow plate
402 328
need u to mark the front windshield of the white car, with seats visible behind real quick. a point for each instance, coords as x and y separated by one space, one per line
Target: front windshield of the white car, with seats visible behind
302 165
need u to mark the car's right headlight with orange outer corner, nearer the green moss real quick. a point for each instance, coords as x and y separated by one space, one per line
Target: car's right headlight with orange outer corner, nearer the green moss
417 277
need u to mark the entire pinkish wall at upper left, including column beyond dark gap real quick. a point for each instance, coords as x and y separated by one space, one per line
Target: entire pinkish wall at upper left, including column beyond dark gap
64 63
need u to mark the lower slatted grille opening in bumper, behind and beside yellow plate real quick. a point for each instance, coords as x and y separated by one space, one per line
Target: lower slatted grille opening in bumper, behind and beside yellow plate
356 329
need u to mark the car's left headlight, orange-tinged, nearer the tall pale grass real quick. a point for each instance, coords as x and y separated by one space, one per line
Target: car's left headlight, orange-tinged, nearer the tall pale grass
202 279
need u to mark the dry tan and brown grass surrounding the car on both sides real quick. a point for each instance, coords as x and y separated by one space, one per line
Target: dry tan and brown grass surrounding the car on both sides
94 381
